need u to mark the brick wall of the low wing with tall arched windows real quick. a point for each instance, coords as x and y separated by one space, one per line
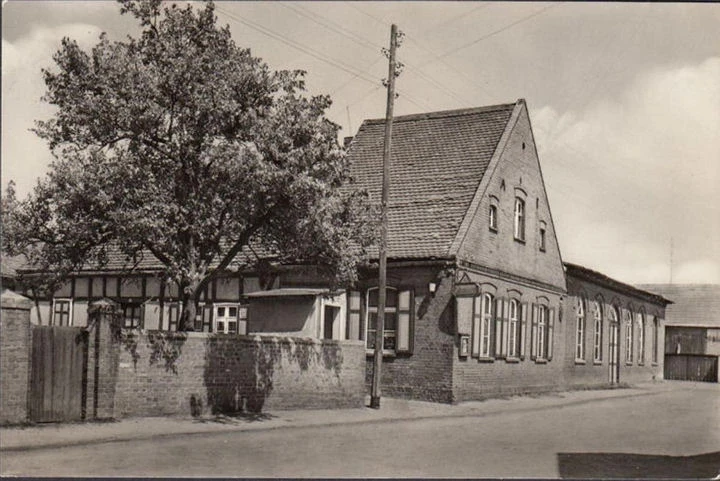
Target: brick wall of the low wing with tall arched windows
596 373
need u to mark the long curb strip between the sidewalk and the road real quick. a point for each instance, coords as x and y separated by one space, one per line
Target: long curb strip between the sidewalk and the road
301 425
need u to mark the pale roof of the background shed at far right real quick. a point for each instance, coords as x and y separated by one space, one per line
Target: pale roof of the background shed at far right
693 304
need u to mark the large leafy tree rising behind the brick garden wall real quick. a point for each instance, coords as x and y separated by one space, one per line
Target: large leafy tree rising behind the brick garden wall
181 144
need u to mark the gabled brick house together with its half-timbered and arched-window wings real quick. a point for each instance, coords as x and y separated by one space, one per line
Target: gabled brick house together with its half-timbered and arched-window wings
478 301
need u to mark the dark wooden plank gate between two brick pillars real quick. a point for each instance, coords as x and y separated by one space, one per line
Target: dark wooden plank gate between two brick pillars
58 375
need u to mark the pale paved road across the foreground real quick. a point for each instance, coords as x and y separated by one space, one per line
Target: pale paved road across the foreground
637 437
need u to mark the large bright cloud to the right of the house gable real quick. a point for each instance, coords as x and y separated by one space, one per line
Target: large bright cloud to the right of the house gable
627 174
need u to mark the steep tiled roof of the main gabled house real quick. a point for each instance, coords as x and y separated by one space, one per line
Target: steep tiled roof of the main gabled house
438 161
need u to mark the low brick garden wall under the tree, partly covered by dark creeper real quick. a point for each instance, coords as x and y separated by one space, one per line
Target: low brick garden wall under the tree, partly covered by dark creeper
192 373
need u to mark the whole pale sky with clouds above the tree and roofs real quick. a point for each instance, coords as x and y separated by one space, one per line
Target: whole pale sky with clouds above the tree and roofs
624 101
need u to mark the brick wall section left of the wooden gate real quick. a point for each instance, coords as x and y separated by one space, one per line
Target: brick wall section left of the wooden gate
15 344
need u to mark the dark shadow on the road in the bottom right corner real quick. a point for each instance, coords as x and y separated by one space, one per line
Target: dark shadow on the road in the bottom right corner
643 466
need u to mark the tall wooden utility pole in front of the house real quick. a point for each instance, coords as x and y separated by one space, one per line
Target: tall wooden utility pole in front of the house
380 323
